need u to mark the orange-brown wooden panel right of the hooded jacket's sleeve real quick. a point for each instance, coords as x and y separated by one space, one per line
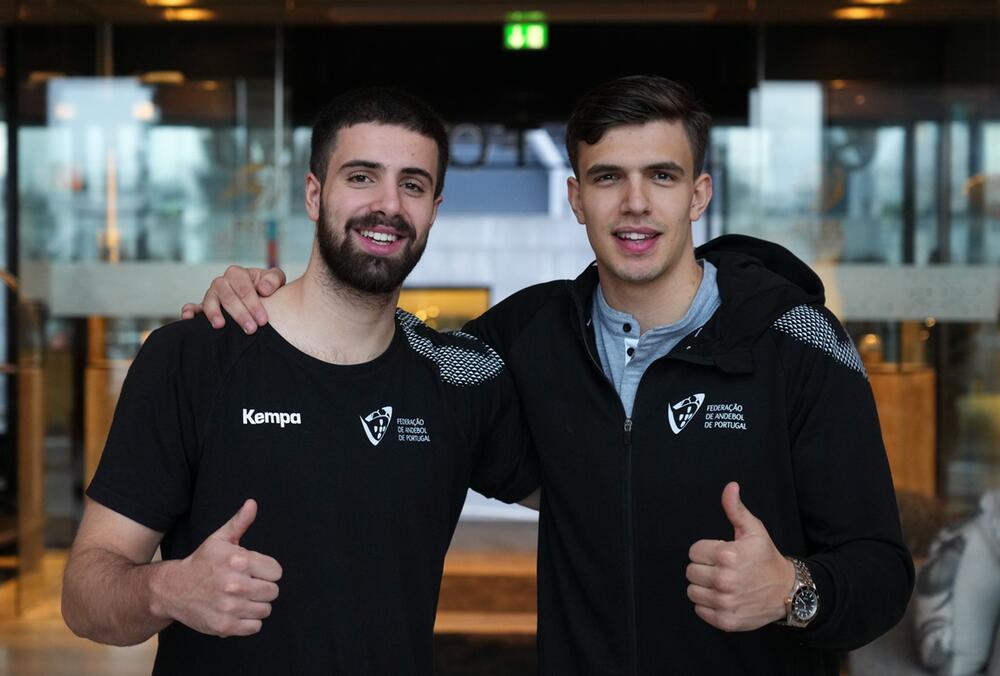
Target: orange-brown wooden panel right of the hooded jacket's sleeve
908 415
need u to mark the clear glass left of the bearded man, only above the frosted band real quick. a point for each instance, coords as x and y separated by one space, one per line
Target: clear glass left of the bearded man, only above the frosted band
113 175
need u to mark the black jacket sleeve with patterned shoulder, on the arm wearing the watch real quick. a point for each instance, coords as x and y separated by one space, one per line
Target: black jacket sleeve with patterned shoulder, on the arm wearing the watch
862 570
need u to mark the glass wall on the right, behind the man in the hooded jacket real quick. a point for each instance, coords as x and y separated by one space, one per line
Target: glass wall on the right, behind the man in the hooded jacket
890 193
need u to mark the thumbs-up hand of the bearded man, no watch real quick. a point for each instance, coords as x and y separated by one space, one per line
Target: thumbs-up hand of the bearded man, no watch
221 588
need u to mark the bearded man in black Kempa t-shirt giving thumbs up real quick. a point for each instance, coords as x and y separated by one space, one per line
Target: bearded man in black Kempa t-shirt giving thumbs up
327 455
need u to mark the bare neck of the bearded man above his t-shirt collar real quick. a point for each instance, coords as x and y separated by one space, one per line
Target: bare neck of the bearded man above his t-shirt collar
321 317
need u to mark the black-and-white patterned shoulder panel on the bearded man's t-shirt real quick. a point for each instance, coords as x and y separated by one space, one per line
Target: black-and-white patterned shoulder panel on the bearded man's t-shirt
461 359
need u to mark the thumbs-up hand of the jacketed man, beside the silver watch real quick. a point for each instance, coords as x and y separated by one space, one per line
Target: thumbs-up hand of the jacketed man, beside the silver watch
739 584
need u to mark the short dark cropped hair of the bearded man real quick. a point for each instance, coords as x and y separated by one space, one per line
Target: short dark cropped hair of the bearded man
376 105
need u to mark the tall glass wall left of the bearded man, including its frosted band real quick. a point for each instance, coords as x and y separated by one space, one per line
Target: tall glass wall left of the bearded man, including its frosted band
126 165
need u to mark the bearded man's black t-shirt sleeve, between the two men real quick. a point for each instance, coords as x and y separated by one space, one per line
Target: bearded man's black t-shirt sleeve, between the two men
505 464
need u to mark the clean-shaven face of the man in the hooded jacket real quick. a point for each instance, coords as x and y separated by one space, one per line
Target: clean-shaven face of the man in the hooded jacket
637 194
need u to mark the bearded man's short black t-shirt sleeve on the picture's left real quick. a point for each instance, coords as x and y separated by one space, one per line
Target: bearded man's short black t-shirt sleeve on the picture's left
147 469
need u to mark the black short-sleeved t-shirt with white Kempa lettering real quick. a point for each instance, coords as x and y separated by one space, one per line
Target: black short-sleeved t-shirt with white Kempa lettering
359 472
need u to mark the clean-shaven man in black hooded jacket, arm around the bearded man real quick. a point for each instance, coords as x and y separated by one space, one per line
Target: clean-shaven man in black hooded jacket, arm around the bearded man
663 380
